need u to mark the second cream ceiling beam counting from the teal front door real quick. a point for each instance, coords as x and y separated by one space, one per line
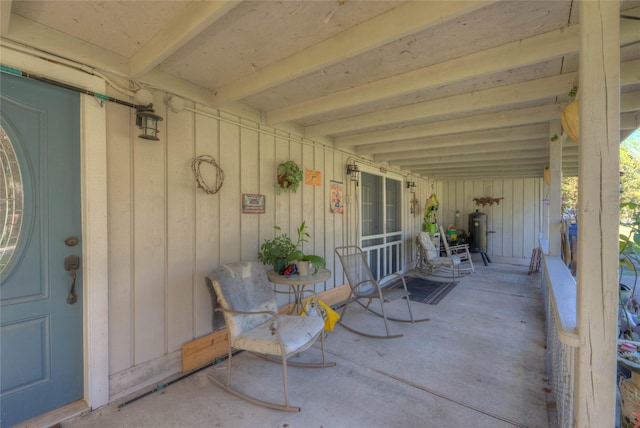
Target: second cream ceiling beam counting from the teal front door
402 21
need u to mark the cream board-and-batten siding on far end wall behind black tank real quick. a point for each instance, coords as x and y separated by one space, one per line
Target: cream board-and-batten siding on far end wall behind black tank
514 225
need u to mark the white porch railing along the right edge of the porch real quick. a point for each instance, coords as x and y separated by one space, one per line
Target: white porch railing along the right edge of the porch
559 293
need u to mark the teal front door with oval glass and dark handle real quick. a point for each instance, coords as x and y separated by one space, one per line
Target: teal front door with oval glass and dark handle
41 359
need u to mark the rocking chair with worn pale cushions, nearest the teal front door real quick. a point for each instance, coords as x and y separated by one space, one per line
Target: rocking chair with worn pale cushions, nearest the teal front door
247 301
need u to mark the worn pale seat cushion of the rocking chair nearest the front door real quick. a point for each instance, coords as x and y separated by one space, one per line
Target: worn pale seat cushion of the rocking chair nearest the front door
296 332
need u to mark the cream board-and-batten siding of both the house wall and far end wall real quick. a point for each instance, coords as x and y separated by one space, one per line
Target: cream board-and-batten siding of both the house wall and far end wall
166 235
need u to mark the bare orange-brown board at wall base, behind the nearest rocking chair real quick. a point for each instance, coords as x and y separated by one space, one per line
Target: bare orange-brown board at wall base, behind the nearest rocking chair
206 349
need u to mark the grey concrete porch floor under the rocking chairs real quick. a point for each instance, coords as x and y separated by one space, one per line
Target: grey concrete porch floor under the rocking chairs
478 362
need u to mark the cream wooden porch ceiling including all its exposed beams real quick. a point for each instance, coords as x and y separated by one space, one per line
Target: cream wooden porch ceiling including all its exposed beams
445 89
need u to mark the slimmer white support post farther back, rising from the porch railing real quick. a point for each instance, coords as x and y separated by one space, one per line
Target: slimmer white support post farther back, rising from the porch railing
555 189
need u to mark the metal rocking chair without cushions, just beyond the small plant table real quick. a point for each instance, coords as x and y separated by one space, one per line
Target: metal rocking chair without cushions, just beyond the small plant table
364 287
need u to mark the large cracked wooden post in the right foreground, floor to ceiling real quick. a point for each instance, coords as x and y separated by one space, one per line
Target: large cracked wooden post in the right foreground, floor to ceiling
598 212
